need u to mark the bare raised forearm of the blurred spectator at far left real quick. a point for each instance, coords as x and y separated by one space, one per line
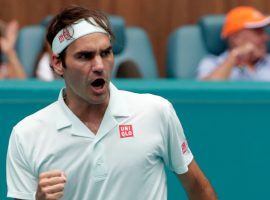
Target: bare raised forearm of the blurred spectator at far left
15 69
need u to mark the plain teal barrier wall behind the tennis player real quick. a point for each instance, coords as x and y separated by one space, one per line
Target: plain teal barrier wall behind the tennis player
227 125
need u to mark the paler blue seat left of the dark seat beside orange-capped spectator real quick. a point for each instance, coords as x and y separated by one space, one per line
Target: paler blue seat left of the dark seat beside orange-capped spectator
184 50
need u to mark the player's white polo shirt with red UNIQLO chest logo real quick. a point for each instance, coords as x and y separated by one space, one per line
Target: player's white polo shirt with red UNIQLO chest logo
124 160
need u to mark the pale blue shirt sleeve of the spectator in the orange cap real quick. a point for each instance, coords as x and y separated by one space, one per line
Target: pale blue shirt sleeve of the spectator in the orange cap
206 66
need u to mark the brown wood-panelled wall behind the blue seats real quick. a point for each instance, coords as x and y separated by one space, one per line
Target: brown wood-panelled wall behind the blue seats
158 17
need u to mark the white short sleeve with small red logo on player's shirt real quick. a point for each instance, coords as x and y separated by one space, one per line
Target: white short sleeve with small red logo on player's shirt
177 155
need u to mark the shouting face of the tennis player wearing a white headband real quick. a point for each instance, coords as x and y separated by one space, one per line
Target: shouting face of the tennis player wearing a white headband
89 61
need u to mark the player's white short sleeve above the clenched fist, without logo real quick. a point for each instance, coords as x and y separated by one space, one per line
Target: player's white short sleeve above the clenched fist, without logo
21 181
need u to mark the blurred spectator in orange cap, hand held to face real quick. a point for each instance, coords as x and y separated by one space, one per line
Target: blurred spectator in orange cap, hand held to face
246 57
